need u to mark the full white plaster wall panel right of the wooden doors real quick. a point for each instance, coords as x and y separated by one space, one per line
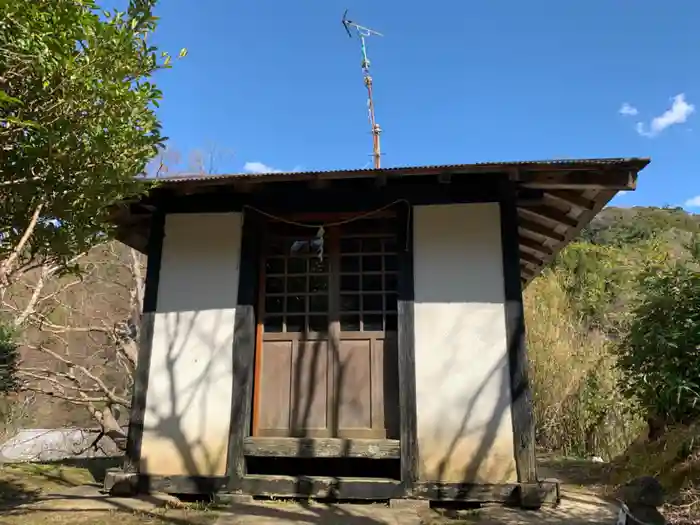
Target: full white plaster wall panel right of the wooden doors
462 380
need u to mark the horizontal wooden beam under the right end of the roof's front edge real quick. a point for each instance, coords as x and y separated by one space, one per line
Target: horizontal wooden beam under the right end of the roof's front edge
593 179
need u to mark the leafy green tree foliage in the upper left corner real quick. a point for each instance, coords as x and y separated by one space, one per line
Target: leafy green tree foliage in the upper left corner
77 123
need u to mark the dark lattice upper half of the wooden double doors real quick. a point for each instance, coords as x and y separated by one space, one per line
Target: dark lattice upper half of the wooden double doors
354 283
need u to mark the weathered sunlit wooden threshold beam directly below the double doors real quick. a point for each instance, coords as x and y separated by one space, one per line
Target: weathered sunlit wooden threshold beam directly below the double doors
322 447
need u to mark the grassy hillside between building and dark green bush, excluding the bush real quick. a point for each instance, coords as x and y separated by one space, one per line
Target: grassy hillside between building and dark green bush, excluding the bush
579 308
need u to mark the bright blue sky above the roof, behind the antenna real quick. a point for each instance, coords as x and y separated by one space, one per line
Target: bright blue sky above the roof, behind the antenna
278 83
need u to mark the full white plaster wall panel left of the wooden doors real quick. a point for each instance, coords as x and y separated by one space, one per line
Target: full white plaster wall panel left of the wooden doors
188 402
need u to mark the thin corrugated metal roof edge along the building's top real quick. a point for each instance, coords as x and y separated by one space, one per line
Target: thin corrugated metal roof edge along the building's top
563 163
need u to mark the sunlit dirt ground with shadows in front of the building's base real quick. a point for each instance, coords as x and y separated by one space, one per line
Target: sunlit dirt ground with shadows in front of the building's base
58 494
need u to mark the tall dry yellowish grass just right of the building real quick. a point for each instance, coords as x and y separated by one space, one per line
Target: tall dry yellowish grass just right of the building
578 408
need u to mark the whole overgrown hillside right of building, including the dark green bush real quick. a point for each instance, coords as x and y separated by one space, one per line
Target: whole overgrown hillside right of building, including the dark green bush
583 313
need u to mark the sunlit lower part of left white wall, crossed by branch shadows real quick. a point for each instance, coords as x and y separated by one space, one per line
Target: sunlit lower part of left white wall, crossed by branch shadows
188 404
